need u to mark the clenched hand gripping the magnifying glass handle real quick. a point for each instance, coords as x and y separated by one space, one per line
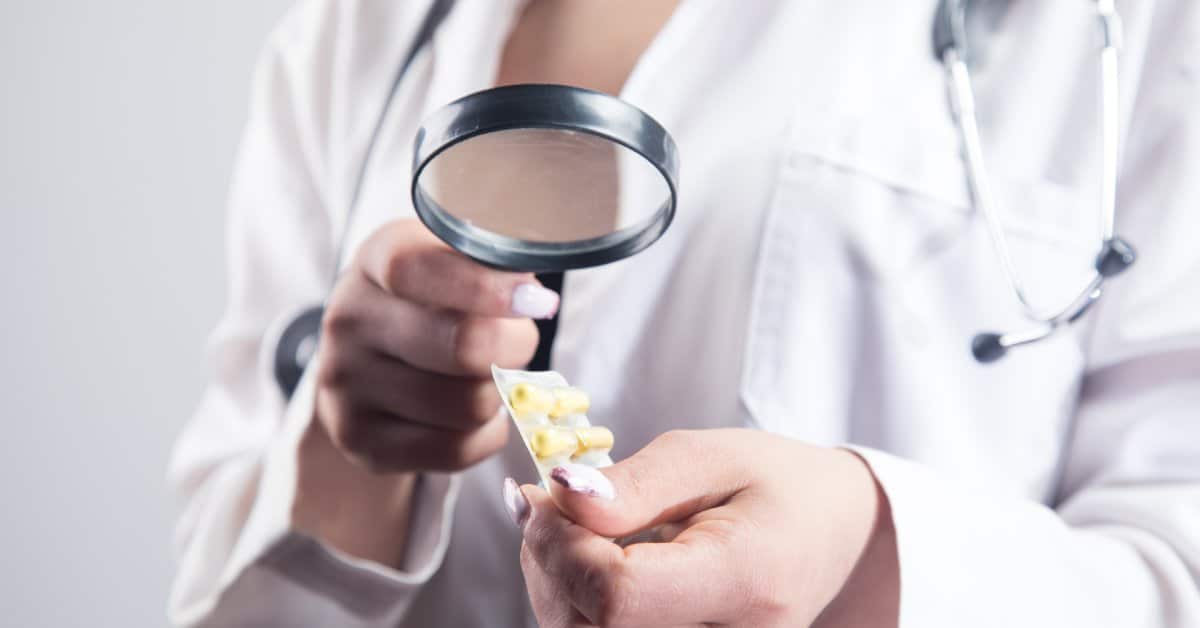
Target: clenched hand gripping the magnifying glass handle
410 337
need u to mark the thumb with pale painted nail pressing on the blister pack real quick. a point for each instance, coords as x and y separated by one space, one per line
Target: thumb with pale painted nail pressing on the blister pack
679 475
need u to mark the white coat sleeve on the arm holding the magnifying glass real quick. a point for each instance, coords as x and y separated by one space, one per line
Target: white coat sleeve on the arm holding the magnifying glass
236 465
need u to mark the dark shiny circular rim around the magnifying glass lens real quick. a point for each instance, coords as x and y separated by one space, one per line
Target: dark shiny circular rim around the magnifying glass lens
545 106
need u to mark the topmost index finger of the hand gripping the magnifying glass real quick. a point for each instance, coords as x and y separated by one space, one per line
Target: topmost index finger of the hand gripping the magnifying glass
411 264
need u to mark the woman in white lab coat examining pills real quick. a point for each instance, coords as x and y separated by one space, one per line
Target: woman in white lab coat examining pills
815 300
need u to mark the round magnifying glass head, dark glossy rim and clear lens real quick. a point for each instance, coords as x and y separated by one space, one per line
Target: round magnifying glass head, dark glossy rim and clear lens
545 178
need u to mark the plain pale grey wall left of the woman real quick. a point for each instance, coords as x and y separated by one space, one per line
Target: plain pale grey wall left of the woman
118 127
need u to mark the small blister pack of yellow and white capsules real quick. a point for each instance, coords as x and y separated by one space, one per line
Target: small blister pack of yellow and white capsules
551 417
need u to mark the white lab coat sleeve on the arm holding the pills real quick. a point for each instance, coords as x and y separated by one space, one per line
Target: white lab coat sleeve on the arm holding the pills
1121 543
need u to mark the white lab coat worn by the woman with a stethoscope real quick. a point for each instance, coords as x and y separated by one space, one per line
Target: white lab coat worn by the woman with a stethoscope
823 280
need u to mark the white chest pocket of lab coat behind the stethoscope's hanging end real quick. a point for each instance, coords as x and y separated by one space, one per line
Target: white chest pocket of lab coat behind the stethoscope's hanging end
875 273
